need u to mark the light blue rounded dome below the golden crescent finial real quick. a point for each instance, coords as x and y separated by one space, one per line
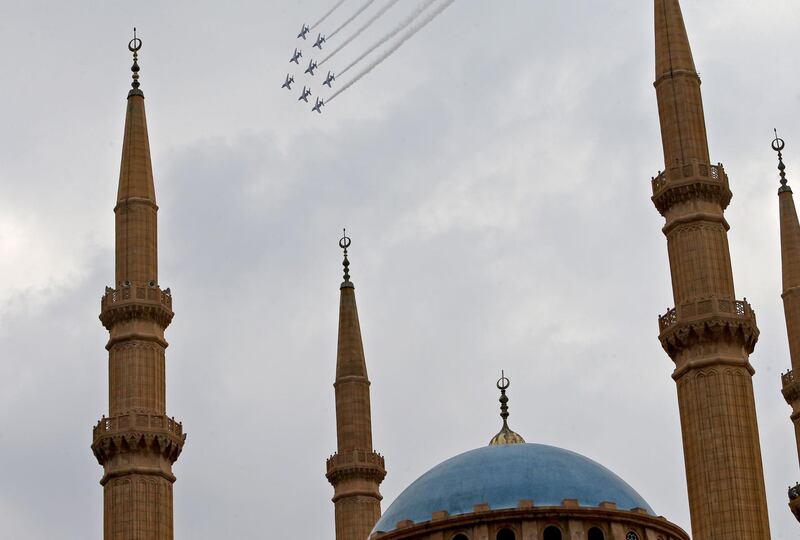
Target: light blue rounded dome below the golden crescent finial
502 476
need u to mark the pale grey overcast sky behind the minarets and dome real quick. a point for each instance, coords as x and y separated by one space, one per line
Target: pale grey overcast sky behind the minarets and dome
494 176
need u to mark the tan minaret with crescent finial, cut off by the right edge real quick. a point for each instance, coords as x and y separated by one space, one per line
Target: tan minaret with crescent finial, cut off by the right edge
790 258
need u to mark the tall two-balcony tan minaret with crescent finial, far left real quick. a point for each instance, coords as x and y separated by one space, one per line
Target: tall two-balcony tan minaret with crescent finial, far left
137 443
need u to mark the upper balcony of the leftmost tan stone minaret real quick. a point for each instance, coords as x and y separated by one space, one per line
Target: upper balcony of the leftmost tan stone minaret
131 301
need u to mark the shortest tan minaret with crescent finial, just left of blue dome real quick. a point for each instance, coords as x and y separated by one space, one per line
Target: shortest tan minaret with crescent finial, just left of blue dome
355 470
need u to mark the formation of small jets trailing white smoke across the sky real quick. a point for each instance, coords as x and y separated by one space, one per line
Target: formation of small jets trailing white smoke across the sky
423 13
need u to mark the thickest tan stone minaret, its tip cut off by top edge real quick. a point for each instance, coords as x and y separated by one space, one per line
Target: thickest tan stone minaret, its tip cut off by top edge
709 334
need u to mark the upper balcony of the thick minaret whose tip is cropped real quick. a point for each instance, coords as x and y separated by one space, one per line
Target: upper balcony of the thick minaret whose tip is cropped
687 181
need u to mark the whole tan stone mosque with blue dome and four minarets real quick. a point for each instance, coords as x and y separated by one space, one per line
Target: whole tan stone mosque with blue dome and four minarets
510 489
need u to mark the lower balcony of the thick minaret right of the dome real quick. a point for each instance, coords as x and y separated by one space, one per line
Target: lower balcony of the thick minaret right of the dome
697 320
